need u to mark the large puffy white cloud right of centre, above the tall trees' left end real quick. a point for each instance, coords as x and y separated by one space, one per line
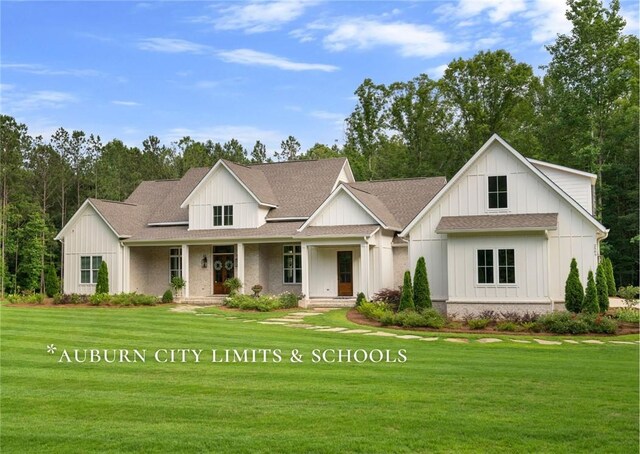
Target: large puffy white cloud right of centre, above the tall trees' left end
411 40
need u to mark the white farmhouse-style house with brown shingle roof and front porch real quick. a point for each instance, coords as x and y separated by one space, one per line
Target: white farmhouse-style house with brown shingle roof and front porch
500 234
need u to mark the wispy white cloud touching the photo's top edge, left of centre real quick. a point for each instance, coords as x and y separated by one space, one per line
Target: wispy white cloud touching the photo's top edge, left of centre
258 16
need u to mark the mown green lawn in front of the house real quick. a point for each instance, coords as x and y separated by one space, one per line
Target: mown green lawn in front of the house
446 398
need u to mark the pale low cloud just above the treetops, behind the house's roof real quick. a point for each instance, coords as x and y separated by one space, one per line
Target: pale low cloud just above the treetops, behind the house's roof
245 134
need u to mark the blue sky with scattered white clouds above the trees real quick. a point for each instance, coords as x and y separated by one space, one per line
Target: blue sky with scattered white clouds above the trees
249 70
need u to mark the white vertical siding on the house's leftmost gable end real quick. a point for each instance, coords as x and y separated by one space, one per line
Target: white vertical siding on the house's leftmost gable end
89 235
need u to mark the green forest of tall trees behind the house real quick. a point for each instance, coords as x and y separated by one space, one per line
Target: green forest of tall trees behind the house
582 113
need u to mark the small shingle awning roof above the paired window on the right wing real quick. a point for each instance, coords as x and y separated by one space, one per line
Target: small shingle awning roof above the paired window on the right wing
483 223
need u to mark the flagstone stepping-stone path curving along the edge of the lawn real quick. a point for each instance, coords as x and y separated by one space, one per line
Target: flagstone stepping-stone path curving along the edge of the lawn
297 320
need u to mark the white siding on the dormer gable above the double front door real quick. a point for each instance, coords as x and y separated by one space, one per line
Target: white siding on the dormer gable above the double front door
222 188
